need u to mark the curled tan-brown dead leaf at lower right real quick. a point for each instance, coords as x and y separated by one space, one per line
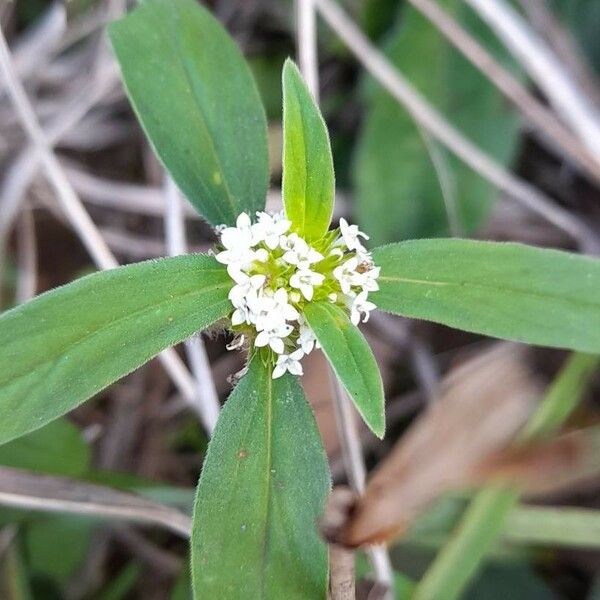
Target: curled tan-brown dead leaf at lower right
481 407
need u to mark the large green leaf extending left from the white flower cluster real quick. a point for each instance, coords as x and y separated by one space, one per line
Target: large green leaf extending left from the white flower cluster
68 344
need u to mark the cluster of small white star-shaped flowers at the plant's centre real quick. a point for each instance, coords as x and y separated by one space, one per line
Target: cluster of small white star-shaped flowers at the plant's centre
277 272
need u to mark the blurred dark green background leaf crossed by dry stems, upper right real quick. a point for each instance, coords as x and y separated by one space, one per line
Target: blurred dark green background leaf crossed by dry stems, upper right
398 188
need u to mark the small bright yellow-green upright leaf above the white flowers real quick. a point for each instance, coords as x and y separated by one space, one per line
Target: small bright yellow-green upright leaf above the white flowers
308 185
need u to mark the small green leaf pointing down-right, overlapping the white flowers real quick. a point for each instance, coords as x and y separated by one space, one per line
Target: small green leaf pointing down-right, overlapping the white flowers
351 359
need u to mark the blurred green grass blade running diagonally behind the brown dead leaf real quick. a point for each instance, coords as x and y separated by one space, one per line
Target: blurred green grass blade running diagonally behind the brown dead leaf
484 519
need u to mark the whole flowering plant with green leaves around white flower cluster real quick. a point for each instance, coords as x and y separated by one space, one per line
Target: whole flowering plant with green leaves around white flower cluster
284 284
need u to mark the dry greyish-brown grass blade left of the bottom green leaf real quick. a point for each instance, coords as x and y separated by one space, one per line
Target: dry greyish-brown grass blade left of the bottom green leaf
23 489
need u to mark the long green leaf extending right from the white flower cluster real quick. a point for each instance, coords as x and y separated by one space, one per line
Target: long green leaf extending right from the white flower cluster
505 290
